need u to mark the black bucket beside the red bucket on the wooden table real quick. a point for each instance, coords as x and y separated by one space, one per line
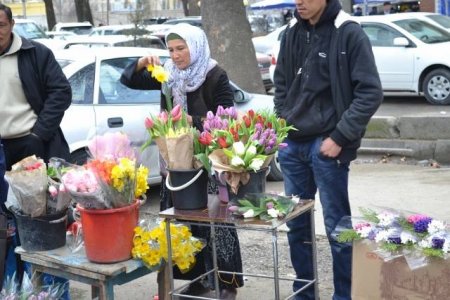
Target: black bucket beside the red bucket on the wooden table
42 233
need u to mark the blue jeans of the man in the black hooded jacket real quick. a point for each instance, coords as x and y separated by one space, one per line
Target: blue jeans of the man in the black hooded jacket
305 170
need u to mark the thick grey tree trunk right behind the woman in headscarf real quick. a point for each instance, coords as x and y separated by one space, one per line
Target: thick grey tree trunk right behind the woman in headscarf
229 35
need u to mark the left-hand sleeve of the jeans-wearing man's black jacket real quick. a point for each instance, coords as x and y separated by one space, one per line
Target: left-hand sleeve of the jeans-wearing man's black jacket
279 79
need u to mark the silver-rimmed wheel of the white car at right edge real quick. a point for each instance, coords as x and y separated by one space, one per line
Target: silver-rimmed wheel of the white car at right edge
436 87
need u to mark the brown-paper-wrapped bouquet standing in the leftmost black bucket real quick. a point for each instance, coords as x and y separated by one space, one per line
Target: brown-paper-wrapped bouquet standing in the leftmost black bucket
28 181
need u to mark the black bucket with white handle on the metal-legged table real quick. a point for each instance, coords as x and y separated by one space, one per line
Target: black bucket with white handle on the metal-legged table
189 188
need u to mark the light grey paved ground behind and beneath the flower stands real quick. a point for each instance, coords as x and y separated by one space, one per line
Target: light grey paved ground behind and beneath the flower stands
385 182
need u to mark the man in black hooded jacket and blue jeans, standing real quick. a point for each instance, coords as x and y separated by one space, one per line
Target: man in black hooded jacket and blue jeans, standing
328 87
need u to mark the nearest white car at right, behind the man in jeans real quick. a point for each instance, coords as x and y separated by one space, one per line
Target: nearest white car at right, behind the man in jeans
411 55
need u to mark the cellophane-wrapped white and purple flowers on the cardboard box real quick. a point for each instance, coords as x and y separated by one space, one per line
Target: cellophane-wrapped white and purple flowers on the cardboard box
416 237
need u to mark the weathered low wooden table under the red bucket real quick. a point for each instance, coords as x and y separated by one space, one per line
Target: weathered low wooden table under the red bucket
75 266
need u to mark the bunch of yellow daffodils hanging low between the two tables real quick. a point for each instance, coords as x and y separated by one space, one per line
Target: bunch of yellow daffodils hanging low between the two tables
150 245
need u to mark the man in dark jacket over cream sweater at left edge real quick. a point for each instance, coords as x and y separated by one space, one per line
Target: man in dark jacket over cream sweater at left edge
34 96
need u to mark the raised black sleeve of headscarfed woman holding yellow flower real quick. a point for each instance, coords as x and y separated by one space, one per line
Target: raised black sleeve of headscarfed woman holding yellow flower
141 80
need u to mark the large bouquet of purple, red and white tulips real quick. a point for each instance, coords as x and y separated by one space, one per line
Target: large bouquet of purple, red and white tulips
240 144
